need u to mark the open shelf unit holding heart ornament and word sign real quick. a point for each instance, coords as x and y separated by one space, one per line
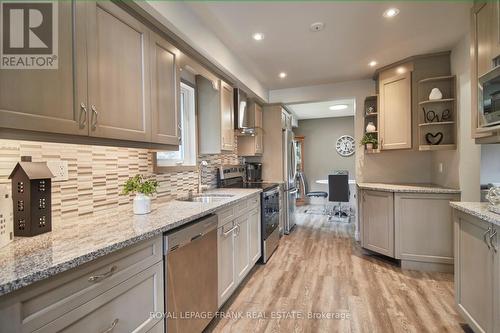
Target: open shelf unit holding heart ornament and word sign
435 131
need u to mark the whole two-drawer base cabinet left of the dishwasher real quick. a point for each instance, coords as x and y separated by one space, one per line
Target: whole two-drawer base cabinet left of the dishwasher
115 292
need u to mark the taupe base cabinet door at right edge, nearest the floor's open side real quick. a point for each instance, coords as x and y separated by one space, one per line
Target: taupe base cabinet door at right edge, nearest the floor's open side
474 273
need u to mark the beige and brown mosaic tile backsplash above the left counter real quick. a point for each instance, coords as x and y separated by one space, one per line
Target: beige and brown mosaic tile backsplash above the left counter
96 173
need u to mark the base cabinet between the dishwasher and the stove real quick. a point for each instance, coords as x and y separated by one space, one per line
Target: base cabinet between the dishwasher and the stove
238 245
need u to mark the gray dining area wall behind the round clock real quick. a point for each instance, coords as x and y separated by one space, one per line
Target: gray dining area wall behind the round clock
321 158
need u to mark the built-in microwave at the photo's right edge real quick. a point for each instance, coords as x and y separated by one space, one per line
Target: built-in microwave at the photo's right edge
489 98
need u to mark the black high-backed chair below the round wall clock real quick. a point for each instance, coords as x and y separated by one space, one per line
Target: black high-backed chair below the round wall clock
338 188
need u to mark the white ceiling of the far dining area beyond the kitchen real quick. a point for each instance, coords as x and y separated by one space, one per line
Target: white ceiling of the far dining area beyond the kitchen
321 109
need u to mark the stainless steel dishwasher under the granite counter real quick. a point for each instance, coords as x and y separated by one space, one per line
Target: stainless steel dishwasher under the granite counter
191 276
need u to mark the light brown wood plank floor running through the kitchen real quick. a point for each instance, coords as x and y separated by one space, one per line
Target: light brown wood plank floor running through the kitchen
319 269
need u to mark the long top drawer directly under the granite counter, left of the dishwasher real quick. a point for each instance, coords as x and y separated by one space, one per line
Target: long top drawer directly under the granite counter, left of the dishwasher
39 305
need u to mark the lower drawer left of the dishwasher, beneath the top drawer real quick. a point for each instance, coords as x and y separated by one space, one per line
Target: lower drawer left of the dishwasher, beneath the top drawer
124 308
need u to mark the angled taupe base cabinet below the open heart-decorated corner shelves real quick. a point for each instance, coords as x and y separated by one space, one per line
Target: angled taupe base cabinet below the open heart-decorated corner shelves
416 228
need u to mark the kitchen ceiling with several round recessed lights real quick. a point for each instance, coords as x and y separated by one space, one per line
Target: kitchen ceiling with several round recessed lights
354 34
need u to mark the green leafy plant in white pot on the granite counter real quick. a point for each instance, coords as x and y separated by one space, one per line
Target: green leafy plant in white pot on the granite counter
143 189
